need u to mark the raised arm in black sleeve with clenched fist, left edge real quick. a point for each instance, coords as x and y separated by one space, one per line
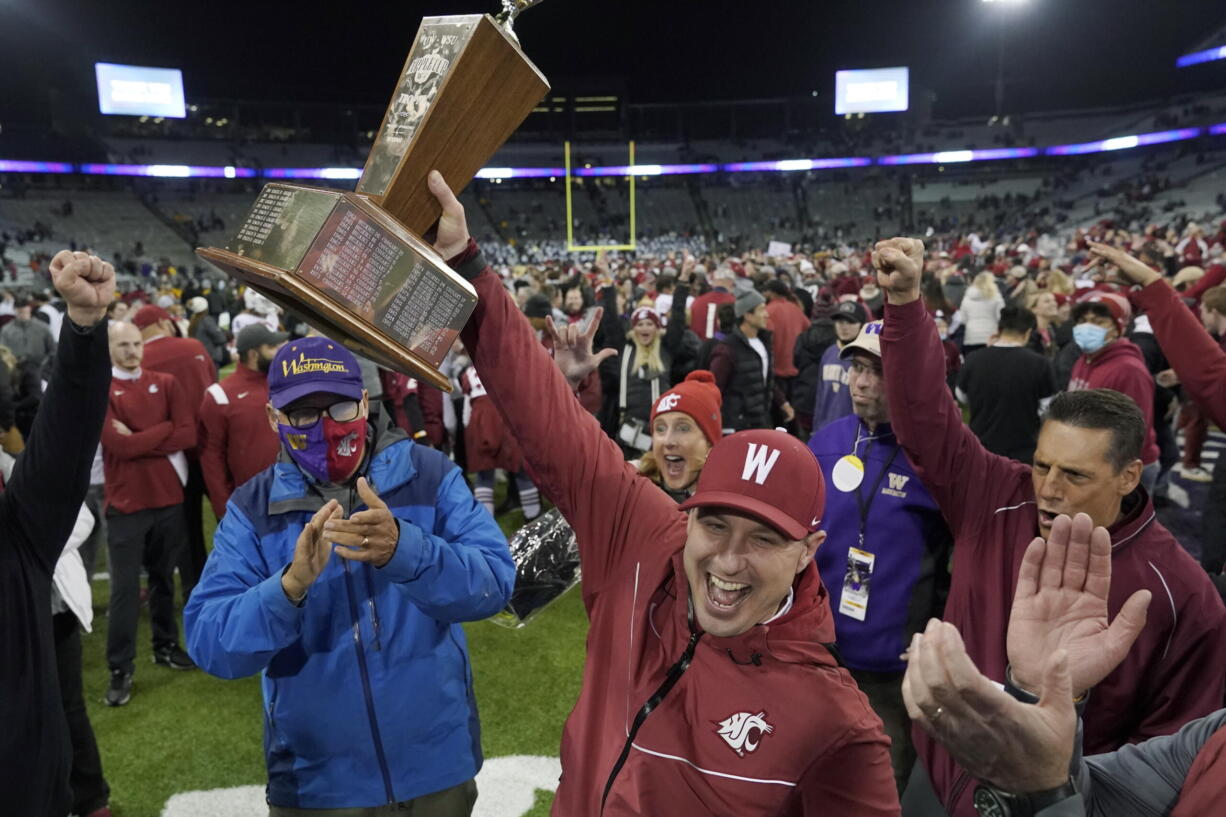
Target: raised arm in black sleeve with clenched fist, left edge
53 475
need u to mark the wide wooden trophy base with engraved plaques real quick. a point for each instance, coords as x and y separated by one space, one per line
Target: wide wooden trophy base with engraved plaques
354 273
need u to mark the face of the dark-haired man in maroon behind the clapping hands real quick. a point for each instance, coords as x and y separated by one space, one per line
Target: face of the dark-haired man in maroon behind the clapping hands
1073 474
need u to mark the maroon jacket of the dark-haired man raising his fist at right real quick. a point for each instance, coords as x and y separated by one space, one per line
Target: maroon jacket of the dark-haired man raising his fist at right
1178 669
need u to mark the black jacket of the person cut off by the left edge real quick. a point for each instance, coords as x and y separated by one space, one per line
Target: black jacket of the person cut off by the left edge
37 512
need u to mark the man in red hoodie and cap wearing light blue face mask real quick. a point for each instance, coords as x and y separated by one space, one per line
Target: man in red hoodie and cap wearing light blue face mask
1111 361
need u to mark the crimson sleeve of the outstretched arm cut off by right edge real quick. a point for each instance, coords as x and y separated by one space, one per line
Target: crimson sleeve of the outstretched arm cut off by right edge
1191 351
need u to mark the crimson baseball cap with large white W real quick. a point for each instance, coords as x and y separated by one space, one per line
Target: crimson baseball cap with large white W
769 475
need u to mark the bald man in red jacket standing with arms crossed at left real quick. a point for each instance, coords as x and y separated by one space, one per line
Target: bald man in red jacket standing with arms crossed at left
148 430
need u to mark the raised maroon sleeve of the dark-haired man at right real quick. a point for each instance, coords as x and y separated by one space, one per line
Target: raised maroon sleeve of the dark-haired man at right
954 466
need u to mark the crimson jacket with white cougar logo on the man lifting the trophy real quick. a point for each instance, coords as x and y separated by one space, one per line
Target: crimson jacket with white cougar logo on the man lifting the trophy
764 724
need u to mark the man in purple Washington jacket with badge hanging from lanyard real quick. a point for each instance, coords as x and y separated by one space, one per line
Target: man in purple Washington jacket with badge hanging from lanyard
887 551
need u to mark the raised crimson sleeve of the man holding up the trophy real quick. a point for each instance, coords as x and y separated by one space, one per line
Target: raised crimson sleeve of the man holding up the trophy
619 516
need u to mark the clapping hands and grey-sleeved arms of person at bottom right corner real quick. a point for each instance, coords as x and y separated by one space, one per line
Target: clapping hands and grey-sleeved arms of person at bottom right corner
1024 745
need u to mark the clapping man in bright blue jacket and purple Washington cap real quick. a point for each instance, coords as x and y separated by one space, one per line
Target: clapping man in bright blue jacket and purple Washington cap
367 684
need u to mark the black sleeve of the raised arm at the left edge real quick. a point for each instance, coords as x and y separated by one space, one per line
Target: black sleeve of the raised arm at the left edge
51 479
